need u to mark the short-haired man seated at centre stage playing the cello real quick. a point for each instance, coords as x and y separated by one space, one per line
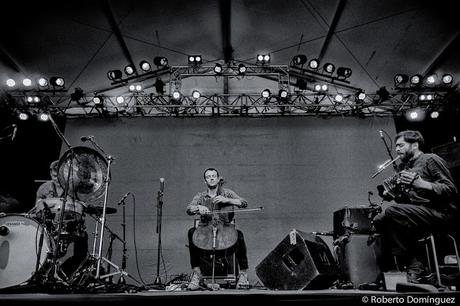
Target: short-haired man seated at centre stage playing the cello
202 204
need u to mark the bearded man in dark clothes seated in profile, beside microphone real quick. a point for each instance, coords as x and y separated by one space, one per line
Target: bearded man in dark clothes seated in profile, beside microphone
424 204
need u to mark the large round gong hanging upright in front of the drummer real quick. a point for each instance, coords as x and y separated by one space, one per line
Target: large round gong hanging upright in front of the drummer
85 171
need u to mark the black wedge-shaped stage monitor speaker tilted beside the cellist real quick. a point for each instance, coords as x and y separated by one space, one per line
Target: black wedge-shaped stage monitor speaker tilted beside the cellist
300 261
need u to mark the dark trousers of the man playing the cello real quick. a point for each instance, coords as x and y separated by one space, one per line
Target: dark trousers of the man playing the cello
196 254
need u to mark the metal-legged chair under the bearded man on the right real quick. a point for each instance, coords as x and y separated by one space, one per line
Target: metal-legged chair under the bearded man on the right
430 244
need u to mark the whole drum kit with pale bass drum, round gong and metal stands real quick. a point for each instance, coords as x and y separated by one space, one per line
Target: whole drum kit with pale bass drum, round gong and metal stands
34 245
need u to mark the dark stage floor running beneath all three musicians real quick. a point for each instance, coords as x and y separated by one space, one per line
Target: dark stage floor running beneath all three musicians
232 296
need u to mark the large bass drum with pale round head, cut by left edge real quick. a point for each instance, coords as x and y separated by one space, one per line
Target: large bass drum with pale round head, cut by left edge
20 254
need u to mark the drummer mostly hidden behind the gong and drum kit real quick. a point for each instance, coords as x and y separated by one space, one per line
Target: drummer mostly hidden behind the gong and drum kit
53 189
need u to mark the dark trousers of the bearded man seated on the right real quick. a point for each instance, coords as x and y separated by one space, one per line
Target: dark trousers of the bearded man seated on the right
401 225
